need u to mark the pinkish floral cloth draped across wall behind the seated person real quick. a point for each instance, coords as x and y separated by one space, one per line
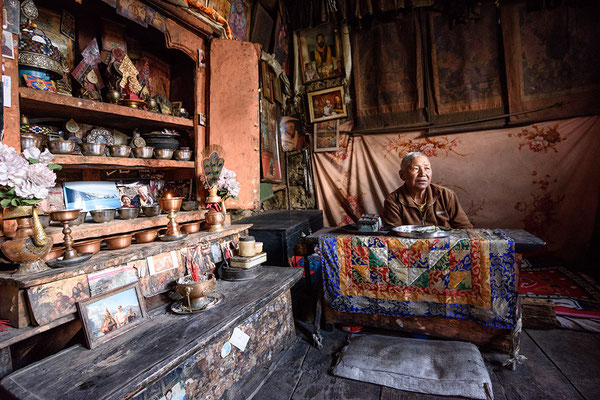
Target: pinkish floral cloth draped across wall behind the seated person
543 177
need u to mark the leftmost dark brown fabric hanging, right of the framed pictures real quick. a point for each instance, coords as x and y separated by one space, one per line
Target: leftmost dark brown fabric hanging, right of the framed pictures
387 73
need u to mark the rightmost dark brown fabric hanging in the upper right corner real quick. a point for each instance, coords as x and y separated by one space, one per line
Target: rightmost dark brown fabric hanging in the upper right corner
552 56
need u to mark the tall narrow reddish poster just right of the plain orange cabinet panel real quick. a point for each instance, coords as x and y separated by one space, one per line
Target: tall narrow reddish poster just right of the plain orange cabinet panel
269 143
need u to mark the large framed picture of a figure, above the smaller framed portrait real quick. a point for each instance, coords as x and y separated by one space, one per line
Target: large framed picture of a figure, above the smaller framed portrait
320 53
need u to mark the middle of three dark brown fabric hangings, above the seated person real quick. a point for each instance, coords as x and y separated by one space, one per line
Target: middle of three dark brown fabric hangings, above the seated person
465 63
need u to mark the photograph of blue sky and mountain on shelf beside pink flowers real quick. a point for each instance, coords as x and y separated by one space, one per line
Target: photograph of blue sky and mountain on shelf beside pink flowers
92 195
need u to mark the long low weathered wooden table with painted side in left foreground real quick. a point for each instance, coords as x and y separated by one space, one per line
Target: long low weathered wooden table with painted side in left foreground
170 350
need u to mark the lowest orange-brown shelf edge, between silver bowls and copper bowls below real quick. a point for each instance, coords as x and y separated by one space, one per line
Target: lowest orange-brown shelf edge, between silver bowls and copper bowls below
116 226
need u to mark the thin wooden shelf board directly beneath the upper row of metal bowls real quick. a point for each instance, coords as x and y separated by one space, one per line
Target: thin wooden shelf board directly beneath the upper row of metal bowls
69 161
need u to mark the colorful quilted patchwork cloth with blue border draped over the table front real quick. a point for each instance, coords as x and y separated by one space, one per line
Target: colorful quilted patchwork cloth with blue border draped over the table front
469 275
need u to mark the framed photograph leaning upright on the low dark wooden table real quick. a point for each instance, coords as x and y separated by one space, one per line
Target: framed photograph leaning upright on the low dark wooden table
111 314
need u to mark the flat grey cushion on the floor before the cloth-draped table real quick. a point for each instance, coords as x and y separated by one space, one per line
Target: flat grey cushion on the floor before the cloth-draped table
424 366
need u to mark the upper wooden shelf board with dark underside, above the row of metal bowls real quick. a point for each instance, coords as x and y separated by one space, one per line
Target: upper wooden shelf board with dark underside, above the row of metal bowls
38 103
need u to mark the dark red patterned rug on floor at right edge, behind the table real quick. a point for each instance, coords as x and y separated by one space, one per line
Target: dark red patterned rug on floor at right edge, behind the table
573 294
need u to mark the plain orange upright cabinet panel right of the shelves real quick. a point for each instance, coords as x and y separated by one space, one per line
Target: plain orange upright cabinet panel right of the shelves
233 115
